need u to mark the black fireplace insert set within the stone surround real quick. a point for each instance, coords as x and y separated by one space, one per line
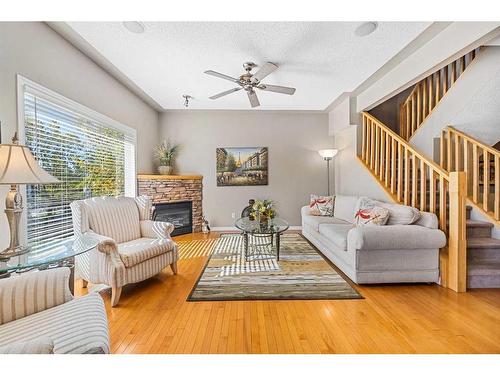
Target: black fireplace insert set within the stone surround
178 213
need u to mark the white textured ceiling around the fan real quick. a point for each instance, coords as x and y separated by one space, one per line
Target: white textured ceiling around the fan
320 59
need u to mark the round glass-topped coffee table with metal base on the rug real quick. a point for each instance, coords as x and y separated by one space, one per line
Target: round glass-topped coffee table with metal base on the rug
260 238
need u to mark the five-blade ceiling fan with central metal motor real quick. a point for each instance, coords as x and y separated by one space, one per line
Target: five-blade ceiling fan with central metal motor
249 82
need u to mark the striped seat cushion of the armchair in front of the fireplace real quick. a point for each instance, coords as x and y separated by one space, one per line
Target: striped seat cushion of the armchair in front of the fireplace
142 249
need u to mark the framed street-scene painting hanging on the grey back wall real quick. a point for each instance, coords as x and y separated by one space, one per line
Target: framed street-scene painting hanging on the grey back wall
241 166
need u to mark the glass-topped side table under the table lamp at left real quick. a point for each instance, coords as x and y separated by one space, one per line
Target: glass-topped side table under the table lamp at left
58 254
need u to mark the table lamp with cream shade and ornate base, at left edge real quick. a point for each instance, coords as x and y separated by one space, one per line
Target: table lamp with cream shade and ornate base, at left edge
18 166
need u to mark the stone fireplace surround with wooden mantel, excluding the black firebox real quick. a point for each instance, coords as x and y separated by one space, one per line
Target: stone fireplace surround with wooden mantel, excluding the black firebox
175 188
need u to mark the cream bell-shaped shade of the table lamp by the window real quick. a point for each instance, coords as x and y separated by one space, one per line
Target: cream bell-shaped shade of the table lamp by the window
18 166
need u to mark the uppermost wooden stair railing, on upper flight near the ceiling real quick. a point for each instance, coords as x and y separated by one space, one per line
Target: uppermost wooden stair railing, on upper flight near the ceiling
427 93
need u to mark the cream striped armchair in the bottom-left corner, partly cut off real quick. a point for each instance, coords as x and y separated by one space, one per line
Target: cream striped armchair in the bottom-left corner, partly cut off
38 315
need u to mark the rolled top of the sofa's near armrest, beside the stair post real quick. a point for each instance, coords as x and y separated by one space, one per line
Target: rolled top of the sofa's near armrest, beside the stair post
395 237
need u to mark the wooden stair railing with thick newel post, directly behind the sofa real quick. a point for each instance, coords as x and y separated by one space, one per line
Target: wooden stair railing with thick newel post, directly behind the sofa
412 179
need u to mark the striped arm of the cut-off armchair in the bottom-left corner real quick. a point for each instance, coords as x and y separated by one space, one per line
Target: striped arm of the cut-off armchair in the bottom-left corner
78 326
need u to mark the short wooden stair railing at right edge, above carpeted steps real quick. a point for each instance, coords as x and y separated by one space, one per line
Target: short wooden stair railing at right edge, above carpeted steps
461 152
